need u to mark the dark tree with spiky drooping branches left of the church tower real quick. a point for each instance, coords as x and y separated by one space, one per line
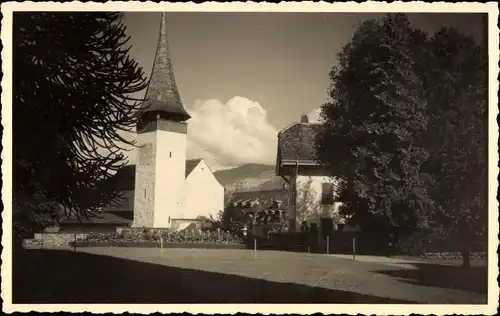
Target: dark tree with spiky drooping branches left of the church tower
72 86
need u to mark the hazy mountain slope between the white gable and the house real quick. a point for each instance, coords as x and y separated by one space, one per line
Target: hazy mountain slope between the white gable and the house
250 177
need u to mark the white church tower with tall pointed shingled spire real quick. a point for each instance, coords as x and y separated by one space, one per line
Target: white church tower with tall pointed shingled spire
161 137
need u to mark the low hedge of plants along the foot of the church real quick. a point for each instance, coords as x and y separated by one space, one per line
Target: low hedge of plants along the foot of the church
131 235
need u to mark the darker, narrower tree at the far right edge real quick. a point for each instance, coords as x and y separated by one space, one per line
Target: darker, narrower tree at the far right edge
457 138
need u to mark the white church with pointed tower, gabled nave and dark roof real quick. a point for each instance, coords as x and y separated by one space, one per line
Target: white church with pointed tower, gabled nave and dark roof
163 188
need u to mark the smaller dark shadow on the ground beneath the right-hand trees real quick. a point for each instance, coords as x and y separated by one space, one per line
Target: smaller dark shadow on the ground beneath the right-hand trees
474 279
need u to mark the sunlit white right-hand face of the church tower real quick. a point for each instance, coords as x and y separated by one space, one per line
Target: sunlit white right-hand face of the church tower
170 177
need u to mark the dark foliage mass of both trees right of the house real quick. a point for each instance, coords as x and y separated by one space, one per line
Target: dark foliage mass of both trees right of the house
406 128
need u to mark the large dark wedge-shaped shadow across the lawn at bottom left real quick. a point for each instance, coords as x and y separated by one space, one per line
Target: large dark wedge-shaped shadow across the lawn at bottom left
57 276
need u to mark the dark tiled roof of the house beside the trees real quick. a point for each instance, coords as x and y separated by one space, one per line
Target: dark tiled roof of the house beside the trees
297 142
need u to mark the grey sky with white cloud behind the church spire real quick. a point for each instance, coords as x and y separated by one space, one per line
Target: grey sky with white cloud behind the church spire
245 76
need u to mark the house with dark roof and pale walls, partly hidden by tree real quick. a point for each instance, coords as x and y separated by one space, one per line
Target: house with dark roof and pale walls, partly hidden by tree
313 190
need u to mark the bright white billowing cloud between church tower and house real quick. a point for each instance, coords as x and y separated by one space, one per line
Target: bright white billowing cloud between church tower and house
228 134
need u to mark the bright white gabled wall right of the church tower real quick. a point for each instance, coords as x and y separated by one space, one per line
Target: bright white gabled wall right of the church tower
204 194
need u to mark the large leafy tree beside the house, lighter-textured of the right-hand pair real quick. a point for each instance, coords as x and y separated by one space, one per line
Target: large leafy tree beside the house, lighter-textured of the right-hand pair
373 125
